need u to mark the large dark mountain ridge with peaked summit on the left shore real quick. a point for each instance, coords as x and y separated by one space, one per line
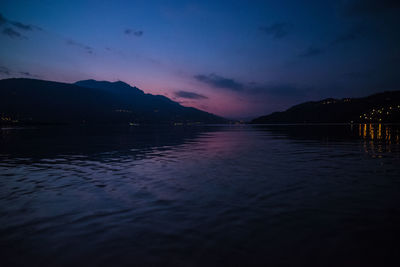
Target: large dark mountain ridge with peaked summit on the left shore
90 101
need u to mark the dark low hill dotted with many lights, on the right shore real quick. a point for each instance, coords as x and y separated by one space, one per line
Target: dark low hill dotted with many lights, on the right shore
381 107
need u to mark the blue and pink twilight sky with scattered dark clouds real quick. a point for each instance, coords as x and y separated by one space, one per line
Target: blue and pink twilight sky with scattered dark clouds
237 59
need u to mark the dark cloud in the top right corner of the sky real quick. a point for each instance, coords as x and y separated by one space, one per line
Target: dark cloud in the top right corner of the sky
368 7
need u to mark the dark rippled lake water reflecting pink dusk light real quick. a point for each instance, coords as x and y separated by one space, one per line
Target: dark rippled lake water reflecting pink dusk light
310 195
